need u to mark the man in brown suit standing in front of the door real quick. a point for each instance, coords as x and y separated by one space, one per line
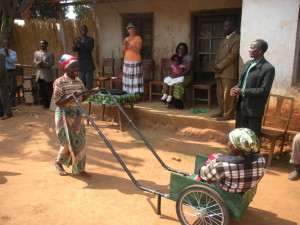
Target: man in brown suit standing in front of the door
227 71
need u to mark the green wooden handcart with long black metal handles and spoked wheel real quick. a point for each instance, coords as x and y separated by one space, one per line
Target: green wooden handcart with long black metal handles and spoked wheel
196 202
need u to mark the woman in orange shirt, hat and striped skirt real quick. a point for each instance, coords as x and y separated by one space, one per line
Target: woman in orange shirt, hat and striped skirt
132 80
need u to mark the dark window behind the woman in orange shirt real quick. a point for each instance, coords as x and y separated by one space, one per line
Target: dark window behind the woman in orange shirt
144 24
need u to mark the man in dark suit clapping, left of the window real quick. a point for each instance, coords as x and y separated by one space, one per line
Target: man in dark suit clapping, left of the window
84 45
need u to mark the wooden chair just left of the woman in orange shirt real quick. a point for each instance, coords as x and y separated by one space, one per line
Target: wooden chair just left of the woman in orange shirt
108 71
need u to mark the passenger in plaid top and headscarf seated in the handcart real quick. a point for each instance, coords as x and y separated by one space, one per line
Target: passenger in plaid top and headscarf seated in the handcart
241 169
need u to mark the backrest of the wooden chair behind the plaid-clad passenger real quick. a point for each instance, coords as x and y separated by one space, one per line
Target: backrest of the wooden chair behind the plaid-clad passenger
281 112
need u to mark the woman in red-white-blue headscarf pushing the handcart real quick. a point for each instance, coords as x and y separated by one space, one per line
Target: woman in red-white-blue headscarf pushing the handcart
68 118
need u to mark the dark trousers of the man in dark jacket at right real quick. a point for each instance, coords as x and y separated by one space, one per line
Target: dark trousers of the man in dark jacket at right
253 123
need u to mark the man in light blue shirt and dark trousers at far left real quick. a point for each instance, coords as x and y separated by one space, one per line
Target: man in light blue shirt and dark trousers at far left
10 60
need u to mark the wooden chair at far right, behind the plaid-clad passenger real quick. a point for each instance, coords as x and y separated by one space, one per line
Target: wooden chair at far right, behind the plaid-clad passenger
282 113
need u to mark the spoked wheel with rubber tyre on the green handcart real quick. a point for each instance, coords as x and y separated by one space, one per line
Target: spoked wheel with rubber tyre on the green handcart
201 205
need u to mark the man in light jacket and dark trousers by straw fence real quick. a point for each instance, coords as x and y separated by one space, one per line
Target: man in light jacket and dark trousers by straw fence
44 61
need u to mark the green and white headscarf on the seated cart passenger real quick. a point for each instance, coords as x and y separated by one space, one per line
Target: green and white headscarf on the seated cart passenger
245 140
